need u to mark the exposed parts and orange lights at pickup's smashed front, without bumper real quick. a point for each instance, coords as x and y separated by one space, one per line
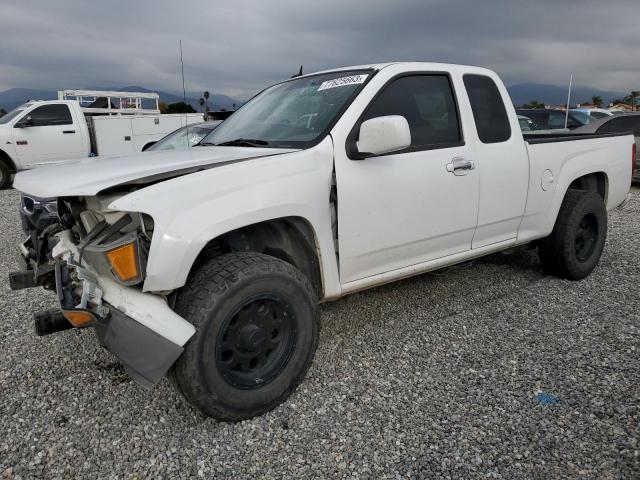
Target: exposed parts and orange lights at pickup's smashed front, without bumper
71 241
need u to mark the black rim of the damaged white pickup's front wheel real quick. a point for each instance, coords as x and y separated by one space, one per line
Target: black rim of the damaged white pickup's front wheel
256 341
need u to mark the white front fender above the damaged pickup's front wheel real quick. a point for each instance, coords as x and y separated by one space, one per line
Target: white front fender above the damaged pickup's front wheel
191 210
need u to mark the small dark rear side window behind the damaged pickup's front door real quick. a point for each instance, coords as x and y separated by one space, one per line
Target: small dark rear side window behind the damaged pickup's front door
492 122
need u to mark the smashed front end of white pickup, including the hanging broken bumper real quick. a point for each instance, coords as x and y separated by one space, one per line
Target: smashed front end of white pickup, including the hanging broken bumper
95 259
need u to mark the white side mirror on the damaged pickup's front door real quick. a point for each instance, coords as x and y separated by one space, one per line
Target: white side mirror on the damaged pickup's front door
382 135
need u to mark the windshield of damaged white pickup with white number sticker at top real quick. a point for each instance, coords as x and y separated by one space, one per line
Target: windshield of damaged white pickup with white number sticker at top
292 114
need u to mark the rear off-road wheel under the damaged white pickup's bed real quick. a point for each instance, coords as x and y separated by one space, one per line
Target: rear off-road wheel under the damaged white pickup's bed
559 253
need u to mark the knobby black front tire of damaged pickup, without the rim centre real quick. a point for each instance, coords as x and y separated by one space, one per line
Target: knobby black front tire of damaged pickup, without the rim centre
209 299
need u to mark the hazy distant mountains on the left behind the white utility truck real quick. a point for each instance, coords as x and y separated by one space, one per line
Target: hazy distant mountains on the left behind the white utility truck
9 99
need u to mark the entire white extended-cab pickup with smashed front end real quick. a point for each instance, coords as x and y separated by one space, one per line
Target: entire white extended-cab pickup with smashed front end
210 262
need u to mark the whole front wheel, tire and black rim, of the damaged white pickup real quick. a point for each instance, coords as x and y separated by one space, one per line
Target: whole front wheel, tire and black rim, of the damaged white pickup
257 332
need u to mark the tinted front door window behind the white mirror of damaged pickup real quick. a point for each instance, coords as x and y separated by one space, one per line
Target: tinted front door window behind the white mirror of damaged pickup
428 104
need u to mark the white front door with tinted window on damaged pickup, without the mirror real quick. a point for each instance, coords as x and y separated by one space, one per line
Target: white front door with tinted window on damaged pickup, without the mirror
408 207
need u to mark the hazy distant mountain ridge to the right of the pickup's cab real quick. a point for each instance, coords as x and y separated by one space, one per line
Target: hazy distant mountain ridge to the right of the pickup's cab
554 95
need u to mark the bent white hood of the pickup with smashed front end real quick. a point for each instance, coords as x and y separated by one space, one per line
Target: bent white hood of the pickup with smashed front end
89 176
